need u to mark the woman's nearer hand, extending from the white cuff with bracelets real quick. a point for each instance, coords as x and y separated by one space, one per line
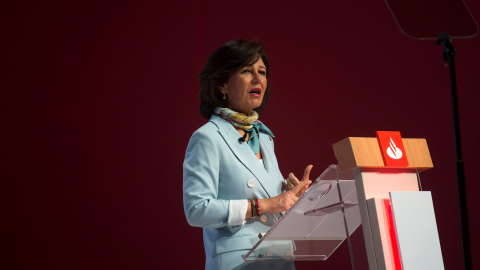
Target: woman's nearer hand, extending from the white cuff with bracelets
283 201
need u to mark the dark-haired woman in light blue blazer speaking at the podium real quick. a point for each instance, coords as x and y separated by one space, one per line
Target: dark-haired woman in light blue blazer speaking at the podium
231 181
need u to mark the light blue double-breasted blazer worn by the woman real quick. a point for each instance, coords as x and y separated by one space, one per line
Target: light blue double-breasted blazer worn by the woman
217 169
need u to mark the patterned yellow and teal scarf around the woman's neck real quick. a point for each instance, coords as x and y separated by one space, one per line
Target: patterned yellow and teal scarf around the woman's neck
246 122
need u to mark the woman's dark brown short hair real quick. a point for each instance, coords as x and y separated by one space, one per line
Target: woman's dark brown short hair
224 62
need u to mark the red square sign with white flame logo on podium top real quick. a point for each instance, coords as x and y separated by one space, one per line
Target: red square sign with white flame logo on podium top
391 146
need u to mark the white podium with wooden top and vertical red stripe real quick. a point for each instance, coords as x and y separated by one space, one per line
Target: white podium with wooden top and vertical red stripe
398 219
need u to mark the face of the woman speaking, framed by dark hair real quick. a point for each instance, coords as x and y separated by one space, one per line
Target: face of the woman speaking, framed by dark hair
245 88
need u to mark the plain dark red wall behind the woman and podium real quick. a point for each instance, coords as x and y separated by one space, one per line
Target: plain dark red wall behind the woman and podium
98 101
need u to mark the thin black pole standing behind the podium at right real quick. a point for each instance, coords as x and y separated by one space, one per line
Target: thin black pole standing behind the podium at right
449 56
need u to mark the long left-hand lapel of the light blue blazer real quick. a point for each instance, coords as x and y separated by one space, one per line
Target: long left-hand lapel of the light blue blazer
243 152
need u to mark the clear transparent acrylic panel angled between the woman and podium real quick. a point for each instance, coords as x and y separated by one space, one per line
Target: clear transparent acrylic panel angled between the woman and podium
313 228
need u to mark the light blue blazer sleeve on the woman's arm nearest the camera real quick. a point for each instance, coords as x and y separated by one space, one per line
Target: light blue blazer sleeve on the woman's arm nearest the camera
201 181
